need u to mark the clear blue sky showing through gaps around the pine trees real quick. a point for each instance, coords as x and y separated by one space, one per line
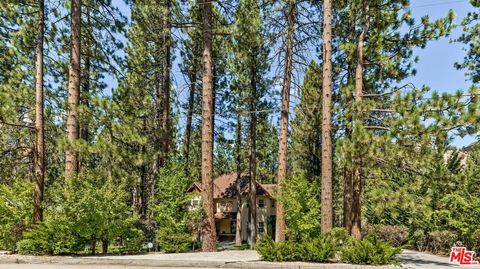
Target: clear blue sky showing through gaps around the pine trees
436 62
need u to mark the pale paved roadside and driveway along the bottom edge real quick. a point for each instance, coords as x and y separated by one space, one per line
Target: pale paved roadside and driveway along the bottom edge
225 259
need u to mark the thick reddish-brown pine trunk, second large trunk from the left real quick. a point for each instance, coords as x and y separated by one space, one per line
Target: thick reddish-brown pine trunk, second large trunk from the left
71 156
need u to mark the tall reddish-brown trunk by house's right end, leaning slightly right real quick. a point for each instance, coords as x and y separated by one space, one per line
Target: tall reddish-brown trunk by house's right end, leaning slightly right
282 150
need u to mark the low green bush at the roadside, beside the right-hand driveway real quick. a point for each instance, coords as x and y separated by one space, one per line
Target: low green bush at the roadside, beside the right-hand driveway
370 250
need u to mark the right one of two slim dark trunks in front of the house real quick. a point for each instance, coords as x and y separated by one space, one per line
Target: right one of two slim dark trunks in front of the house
253 158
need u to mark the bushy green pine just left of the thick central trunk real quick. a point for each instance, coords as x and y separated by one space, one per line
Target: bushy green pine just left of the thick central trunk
137 102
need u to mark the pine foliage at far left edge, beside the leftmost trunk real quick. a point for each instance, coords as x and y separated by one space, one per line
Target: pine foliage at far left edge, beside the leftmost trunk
17 49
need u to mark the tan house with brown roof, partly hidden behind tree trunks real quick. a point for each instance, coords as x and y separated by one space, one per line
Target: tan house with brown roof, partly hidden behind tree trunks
225 206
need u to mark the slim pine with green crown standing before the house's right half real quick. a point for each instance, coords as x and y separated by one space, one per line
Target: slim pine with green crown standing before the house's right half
249 65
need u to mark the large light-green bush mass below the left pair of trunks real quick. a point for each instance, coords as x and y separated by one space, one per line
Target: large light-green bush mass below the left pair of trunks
89 209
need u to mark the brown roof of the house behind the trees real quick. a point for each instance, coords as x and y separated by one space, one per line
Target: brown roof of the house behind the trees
225 186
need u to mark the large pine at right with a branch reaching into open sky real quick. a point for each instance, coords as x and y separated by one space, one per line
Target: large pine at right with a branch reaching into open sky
364 117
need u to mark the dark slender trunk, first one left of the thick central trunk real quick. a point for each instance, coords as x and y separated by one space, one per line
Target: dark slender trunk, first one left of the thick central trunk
166 84
